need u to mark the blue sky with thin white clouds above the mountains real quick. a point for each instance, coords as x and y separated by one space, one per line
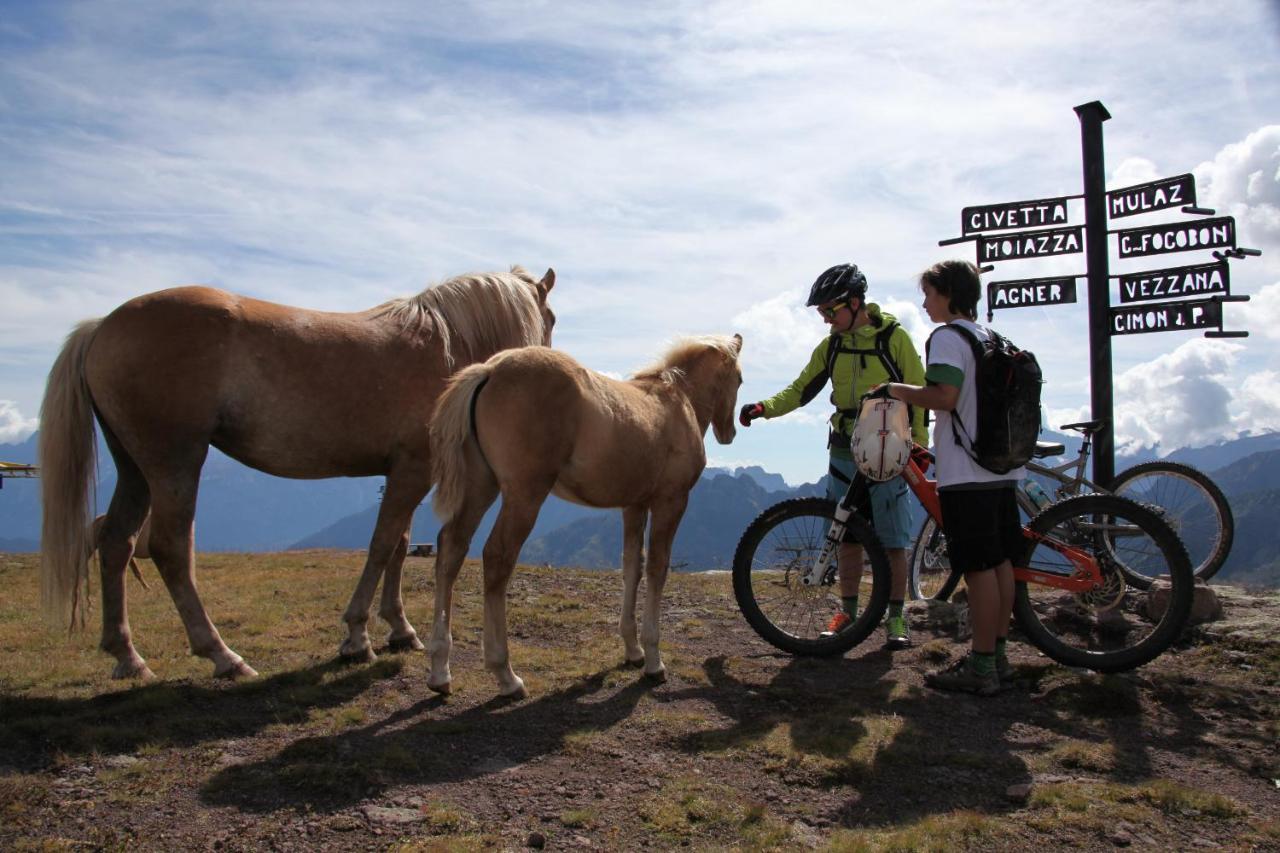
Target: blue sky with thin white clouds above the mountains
685 167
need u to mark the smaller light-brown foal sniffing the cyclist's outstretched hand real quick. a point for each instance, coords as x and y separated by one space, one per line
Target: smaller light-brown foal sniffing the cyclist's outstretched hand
534 422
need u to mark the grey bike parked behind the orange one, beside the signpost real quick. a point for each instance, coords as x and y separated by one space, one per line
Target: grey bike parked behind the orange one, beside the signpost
1187 499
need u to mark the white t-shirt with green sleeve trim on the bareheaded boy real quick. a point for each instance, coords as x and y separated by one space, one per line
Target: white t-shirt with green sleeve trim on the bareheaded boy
950 352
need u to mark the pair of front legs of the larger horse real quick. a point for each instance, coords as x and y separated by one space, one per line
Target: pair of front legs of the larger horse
406 487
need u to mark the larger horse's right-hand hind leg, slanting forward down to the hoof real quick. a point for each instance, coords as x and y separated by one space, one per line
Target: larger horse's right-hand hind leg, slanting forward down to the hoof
173 516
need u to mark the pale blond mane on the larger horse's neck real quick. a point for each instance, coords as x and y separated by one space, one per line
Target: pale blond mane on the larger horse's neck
479 313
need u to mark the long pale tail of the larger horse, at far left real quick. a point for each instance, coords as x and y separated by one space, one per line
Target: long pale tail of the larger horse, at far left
67 467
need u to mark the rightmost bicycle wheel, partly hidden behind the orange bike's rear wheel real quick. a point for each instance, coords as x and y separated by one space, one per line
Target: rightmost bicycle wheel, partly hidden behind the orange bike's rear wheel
1192 505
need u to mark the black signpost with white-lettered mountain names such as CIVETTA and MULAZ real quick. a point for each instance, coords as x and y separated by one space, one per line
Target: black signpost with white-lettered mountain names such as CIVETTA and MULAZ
1141 309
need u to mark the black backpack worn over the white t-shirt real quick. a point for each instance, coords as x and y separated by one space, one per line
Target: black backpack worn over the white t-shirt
1008 382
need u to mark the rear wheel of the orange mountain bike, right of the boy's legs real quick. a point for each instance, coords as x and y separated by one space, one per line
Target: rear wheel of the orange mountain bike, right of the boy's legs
1107 630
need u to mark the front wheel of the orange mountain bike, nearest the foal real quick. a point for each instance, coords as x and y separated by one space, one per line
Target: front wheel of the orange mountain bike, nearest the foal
776 550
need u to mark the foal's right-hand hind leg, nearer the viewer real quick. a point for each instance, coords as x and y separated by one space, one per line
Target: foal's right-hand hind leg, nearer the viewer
515 522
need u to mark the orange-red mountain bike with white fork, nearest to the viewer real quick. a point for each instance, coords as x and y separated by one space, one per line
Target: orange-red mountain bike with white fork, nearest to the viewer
1072 597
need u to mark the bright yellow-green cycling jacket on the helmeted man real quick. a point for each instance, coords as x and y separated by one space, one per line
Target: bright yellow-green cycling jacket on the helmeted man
854 375
